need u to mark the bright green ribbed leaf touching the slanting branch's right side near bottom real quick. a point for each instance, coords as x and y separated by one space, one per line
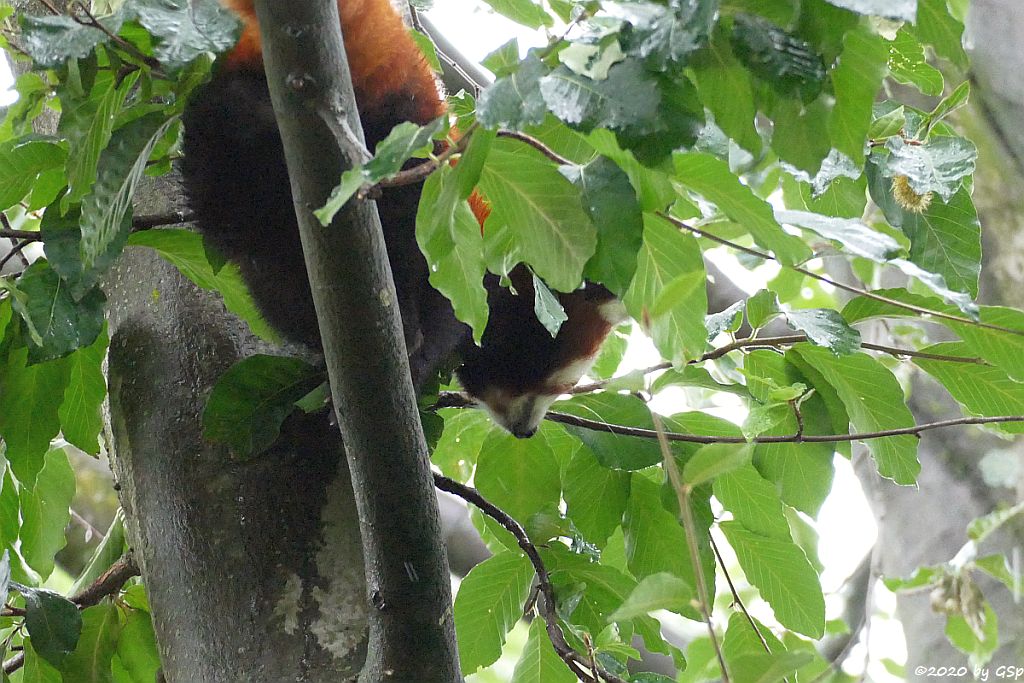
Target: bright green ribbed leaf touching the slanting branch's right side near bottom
488 606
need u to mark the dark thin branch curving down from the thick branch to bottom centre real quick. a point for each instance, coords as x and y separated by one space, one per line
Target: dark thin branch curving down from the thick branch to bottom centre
547 607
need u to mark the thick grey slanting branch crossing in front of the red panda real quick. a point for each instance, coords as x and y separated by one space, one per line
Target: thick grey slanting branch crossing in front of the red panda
411 632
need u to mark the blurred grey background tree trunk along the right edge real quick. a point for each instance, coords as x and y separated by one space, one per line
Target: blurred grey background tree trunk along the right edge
928 526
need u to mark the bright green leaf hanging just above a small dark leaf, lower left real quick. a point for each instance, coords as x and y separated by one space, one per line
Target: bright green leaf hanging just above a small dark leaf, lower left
47 511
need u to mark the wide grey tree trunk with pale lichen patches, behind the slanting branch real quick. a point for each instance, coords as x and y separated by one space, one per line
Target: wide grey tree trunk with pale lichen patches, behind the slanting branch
253 569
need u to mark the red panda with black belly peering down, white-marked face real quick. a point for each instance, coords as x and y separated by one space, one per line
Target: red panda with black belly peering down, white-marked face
237 183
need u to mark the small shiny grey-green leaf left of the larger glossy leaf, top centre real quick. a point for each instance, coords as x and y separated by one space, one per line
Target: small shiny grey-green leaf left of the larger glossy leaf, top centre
515 101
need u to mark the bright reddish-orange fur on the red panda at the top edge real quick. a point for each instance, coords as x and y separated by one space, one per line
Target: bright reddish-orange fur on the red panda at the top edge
382 57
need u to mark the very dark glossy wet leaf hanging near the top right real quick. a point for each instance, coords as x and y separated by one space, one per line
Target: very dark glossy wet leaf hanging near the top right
785 62
